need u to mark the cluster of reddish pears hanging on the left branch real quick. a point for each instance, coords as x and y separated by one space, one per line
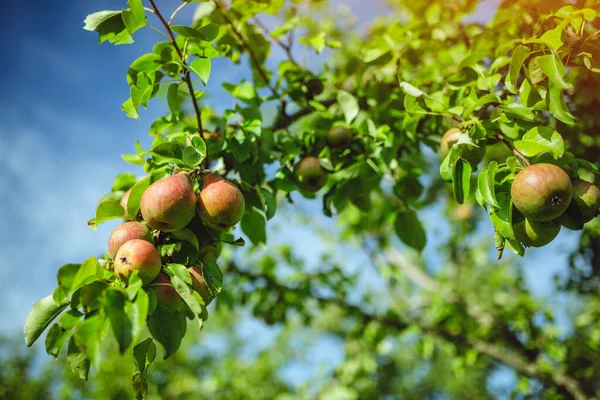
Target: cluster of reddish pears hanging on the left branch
167 207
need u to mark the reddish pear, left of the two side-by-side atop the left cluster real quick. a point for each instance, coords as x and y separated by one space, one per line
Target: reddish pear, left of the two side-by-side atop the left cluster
169 204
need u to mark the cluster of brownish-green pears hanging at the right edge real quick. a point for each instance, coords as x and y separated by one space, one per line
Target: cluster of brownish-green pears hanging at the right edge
546 199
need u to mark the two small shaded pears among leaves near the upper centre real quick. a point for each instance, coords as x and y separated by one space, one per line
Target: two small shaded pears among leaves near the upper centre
309 173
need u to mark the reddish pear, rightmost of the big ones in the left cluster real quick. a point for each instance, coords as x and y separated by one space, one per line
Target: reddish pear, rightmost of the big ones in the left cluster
221 204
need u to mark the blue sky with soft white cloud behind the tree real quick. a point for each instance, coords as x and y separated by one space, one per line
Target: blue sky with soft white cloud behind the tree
62 133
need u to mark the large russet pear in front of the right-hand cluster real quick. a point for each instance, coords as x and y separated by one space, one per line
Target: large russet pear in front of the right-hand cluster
542 192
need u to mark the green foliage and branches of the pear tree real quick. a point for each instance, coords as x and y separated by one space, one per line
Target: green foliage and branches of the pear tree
523 89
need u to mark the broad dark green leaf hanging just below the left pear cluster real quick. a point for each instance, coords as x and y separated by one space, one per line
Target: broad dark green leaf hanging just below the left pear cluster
166 327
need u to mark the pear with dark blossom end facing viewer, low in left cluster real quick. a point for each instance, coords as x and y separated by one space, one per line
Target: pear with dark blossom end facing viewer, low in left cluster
140 255
